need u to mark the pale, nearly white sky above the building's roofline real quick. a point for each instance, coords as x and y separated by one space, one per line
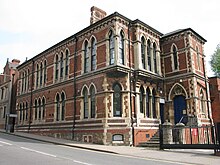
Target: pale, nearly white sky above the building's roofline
28 27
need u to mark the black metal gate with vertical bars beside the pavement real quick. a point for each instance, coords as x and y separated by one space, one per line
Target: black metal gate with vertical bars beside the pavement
185 137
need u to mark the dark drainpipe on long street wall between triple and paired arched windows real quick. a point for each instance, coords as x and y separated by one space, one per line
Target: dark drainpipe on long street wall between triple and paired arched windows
74 87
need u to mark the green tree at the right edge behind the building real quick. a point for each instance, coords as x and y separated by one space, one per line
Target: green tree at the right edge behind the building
215 61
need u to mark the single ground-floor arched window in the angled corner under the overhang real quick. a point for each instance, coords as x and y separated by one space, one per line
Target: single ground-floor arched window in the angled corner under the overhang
117 111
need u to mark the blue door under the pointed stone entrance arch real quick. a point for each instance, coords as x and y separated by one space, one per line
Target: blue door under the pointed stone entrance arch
179 106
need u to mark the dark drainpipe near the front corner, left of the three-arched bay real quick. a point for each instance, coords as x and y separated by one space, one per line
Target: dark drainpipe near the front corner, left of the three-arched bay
130 81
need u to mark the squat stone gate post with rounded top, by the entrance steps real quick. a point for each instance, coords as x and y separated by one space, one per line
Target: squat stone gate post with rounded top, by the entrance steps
167 133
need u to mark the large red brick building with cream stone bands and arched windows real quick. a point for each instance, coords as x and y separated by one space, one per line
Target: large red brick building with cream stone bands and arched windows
114 82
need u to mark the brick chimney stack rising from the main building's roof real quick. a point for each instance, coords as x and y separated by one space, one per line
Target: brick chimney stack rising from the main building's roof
96 14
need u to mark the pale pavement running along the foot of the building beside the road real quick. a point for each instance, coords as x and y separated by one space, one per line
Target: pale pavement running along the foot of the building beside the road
183 156
